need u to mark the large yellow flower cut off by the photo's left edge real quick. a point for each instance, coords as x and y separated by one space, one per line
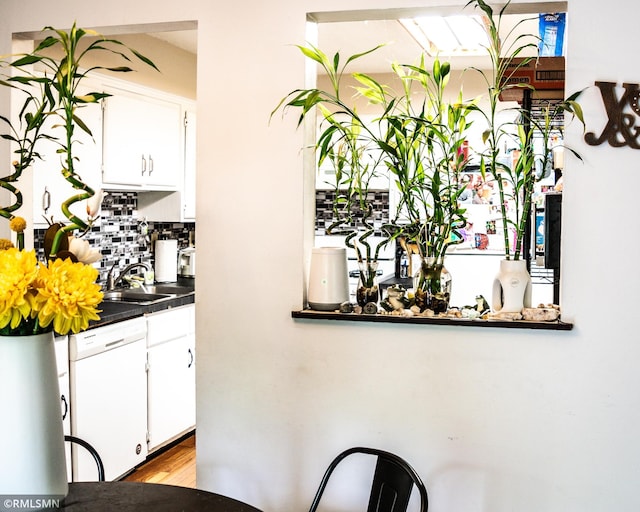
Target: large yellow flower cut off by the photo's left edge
18 271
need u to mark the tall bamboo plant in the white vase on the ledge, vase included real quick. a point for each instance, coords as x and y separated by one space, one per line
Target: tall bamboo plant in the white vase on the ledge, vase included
515 181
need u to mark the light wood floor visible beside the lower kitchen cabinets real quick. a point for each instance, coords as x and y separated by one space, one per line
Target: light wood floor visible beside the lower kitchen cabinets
176 466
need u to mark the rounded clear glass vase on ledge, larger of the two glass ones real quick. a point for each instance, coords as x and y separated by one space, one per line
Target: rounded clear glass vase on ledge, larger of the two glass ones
432 286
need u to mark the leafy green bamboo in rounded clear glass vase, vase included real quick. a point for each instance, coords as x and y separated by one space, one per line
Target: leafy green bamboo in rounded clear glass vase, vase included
423 142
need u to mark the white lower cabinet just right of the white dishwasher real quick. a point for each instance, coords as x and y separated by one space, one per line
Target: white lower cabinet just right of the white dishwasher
170 374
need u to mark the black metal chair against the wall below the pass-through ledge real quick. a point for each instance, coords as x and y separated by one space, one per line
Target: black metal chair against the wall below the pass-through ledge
393 481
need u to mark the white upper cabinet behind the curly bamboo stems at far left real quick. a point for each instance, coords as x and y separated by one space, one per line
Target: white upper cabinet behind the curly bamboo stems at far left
50 189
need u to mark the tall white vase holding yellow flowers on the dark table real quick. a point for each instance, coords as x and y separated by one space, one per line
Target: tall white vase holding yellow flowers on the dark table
31 434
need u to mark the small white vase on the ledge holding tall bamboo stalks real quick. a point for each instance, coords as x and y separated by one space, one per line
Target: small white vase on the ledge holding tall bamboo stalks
511 287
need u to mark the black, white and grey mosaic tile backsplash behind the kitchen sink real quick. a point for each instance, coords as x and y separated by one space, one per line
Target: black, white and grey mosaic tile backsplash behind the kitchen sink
118 235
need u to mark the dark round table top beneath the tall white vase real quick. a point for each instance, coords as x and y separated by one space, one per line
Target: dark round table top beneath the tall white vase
141 497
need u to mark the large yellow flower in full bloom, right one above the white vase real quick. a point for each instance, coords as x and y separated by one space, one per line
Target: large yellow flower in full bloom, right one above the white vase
68 295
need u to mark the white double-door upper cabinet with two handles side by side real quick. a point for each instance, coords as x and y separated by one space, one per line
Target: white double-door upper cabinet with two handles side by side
142 143
